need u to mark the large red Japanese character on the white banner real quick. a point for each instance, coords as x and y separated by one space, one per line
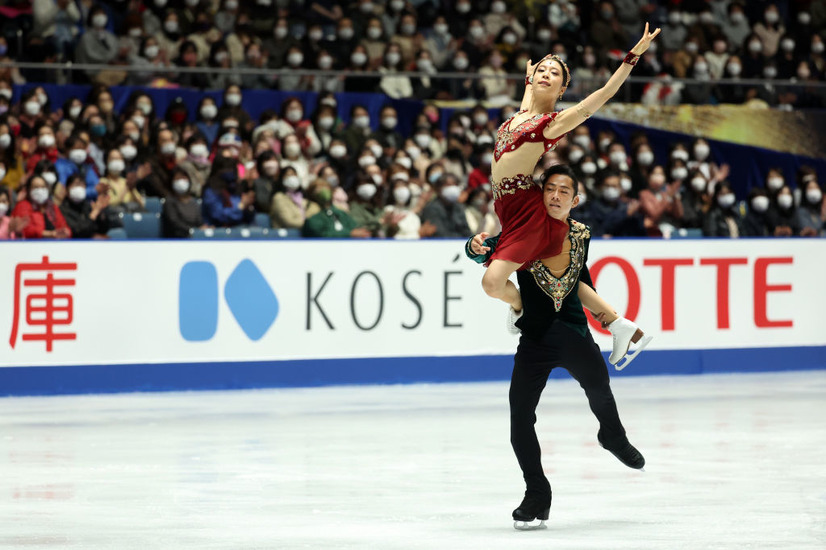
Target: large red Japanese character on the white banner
43 304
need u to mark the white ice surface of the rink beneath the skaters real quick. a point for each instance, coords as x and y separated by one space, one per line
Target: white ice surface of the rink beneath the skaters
733 461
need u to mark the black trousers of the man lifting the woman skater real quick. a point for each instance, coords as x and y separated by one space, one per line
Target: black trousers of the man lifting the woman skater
561 346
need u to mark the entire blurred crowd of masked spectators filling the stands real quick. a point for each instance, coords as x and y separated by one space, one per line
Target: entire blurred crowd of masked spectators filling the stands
85 168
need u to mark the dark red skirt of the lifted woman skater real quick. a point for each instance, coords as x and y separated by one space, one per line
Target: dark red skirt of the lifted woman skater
528 232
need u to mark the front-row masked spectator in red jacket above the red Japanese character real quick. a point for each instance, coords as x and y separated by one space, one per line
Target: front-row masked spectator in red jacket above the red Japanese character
42 218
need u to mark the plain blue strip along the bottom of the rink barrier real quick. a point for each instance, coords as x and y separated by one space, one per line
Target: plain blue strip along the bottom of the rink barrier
79 379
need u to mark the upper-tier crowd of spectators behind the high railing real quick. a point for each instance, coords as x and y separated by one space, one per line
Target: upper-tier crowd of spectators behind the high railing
375 44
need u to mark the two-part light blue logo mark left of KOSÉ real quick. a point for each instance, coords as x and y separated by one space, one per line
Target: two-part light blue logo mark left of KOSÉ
250 299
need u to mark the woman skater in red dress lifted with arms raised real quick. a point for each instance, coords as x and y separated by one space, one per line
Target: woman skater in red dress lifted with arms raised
528 233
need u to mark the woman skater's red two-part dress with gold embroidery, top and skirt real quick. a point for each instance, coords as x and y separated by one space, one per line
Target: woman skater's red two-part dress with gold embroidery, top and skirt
528 232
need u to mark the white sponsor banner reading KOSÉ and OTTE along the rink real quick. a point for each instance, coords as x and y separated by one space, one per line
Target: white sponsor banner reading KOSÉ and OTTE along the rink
157 302
